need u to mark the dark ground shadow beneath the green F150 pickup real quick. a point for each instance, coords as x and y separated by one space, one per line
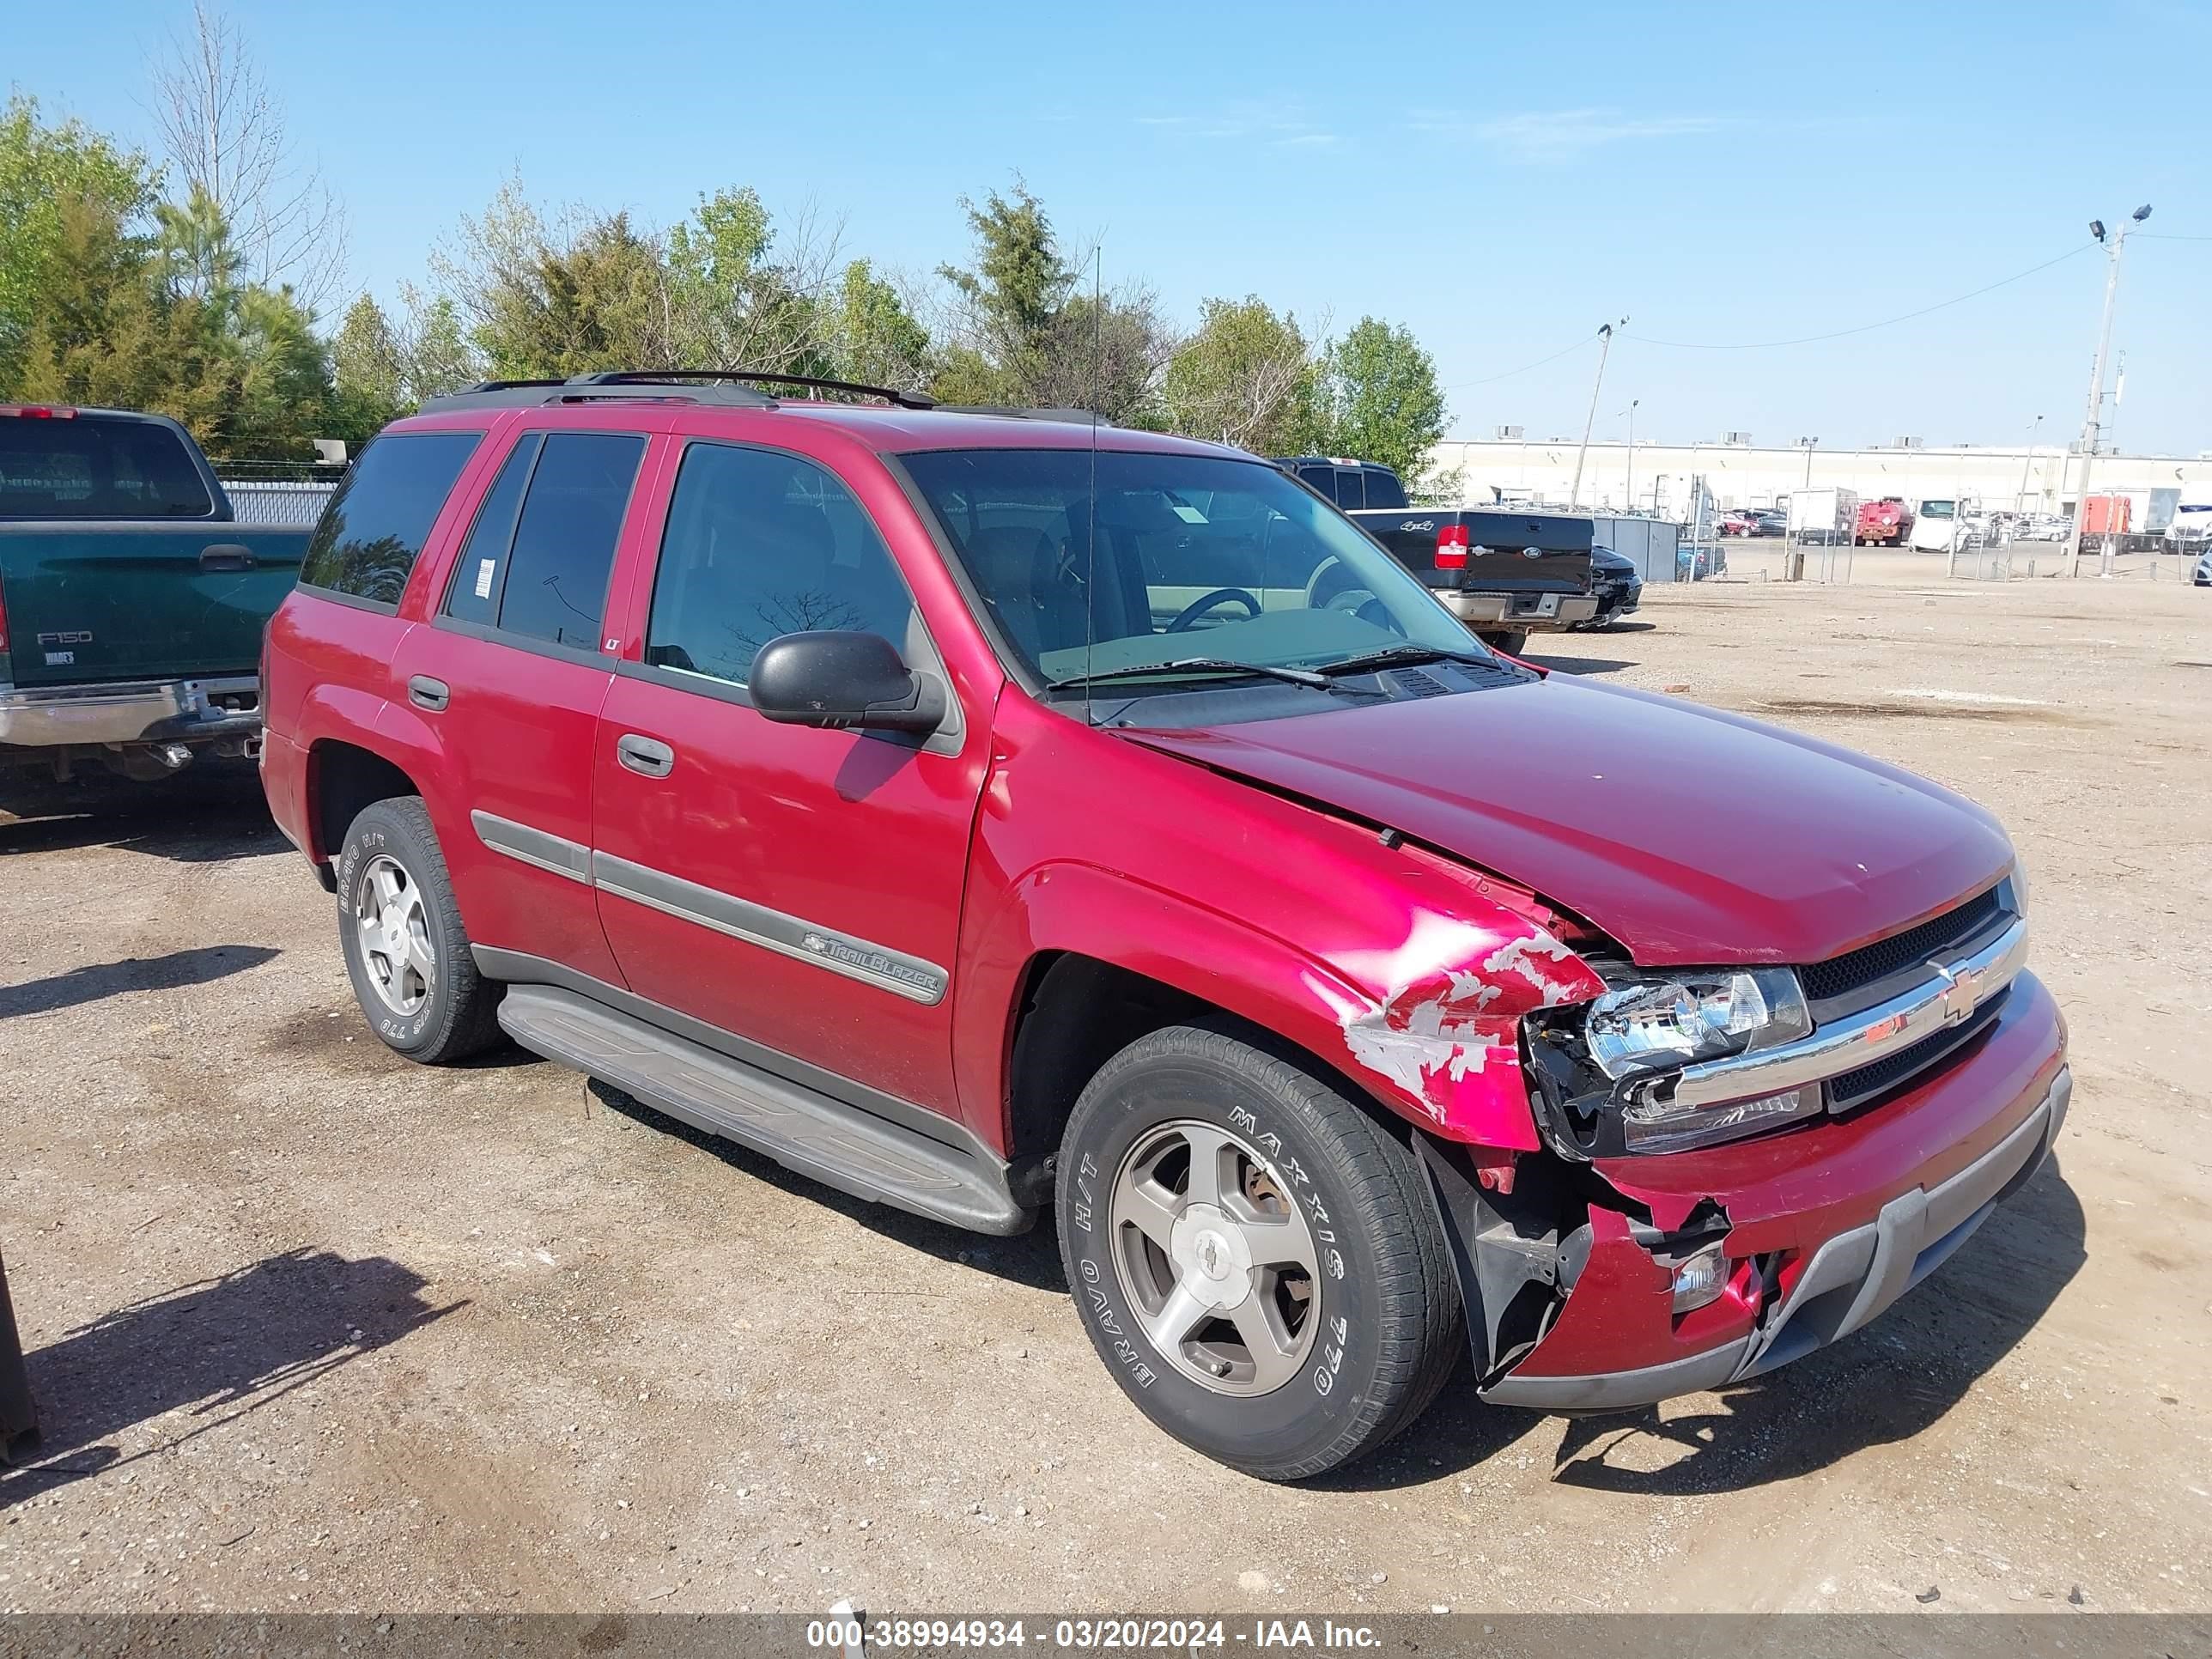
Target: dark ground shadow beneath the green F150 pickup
207 815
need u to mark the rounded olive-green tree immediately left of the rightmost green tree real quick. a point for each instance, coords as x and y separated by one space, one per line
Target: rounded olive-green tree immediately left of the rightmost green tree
1244 379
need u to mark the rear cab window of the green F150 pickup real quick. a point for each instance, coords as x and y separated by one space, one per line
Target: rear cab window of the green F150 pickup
81 466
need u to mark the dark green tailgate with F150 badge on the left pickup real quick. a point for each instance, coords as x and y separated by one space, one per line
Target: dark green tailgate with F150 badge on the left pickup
140 601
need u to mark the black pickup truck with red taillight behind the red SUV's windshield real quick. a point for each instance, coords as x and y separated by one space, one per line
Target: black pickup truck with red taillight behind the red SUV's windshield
1503 574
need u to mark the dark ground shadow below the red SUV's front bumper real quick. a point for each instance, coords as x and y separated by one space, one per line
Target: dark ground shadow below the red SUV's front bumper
1886 1384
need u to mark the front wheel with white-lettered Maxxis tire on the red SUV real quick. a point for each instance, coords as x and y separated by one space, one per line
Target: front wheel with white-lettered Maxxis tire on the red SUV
1255 1258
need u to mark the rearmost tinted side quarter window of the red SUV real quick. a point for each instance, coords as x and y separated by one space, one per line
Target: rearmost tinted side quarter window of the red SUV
375 528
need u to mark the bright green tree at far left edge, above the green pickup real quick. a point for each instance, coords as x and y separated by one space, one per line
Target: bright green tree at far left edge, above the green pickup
45 176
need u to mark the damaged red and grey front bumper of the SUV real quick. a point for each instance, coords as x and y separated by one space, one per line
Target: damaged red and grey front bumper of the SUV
1848 1213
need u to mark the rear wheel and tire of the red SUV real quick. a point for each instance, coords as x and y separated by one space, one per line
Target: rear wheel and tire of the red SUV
404 943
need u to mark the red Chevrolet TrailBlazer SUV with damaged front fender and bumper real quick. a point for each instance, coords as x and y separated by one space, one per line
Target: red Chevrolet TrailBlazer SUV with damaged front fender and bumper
864 786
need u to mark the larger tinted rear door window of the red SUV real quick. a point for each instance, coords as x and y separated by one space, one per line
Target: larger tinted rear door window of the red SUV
563 554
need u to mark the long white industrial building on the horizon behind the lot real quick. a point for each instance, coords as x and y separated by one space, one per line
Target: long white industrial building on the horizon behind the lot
1738 472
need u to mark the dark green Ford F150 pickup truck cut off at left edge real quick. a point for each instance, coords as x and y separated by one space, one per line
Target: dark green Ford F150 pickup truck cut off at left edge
132 601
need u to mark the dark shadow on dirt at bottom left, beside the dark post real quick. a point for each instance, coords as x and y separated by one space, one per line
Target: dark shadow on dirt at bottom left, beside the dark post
211 1353
